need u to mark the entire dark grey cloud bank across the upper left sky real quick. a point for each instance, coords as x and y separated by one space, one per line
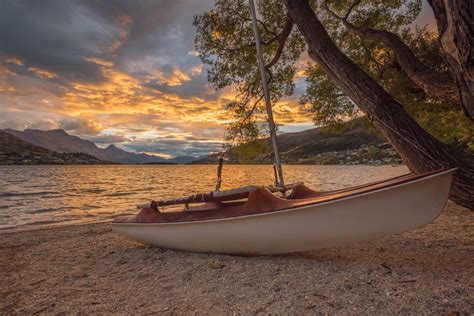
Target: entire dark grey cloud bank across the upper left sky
57 35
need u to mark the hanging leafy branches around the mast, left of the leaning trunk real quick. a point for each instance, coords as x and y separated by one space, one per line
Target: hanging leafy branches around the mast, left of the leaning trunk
225 42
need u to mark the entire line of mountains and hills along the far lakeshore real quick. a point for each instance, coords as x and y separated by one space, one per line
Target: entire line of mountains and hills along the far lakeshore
352 143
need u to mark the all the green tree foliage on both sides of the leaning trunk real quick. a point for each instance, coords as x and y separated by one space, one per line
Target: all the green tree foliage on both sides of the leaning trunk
225 43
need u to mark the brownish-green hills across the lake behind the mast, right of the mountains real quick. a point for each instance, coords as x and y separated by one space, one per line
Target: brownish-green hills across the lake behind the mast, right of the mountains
352 143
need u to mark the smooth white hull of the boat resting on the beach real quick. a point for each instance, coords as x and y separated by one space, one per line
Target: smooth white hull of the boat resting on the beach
361 217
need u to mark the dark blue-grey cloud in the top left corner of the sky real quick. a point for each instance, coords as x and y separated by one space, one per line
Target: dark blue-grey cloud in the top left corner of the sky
55 35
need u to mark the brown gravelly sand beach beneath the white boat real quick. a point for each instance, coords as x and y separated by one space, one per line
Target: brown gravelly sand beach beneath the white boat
89 269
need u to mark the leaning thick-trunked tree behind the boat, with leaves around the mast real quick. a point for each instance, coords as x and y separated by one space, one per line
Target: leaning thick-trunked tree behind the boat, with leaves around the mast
420 151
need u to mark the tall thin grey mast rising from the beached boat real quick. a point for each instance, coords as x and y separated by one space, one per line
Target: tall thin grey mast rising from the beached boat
266 93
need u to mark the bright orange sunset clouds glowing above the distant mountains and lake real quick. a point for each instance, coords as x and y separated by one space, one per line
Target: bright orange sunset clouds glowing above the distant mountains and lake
123 104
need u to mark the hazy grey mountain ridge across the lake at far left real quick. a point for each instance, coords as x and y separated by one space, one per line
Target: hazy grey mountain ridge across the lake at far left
59 141
